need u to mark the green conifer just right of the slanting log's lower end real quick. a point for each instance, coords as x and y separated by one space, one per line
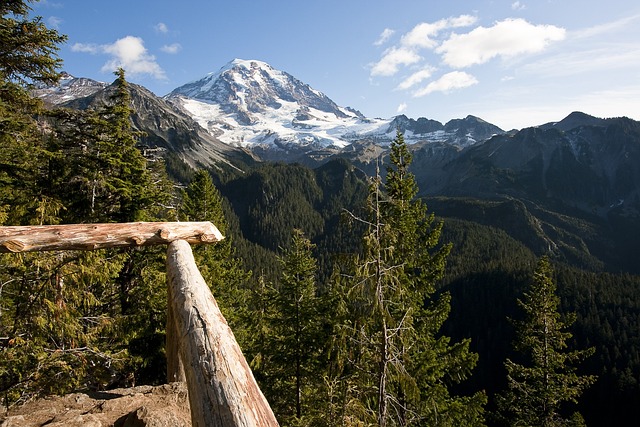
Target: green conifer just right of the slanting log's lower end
288 344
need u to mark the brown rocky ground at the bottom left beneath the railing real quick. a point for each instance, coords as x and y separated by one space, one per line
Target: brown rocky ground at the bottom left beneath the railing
144 406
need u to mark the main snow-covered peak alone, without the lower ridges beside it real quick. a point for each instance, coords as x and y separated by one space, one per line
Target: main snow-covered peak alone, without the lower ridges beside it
248 102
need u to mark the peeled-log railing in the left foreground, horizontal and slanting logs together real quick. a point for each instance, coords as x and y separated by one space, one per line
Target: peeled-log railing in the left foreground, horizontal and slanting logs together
201 348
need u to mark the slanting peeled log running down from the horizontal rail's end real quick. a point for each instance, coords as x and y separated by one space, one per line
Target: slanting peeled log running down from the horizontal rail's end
222 389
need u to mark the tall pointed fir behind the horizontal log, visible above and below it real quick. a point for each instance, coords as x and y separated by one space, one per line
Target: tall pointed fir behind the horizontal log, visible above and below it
128 188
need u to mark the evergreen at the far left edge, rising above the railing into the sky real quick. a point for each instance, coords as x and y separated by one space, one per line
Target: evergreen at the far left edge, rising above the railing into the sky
28 54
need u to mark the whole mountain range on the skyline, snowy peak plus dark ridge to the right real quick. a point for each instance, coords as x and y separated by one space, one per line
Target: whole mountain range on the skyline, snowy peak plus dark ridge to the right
466 156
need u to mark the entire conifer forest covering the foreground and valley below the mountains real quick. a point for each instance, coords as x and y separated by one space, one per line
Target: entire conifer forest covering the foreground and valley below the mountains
357 300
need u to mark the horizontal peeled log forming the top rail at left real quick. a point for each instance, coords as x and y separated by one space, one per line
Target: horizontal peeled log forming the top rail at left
100 236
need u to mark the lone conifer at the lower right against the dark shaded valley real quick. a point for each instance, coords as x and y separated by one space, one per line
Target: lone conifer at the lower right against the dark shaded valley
538 388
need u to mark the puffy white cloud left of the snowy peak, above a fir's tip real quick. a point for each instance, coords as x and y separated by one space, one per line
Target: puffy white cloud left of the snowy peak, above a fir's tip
129 53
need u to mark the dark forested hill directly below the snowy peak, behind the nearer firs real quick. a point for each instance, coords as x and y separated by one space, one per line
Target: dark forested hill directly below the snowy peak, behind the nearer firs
273 199
